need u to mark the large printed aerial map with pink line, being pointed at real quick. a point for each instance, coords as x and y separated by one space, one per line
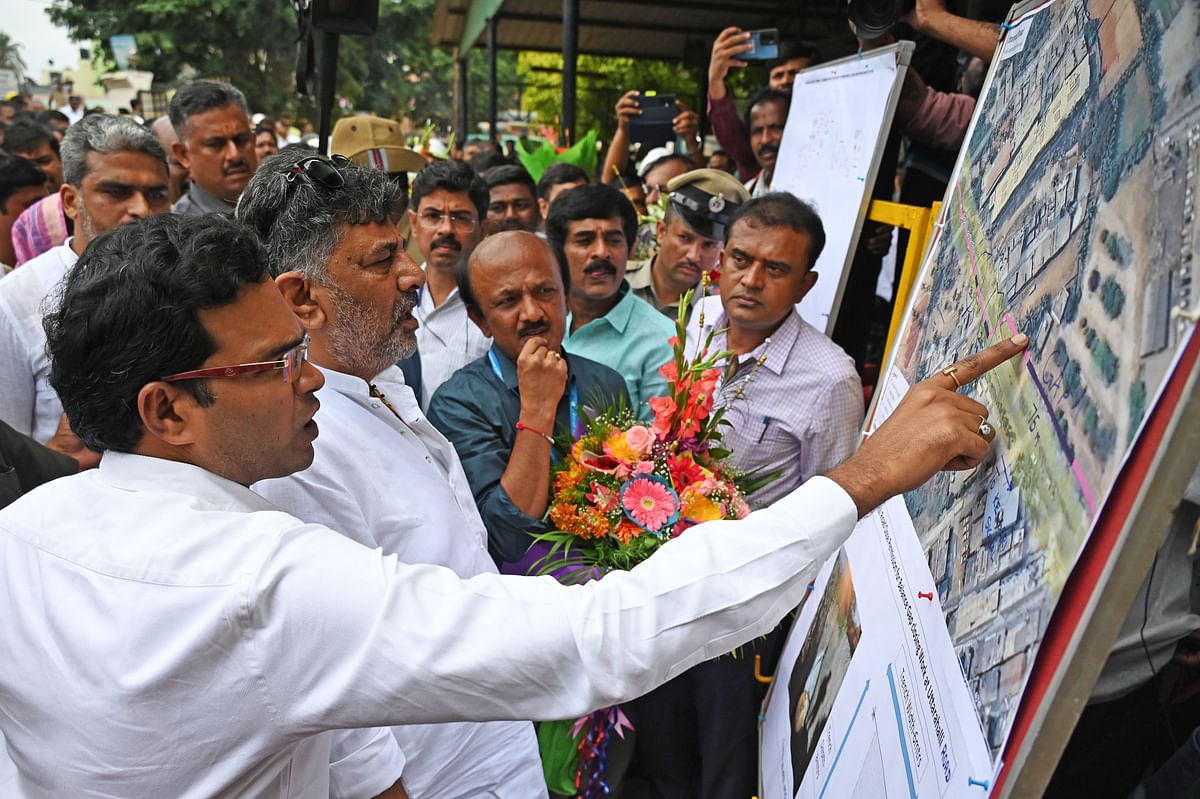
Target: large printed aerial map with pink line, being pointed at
1072 219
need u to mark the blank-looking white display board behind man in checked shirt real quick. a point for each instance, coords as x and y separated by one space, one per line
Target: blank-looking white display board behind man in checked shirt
837 129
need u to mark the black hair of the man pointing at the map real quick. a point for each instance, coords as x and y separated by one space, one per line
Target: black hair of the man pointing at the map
128 316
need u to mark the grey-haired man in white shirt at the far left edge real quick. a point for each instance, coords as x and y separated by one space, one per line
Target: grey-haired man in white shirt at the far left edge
116 172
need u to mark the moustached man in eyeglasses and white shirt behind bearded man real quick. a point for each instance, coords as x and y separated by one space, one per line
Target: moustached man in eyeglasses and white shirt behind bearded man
449 203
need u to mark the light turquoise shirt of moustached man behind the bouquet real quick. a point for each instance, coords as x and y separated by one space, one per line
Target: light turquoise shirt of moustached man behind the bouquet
633 340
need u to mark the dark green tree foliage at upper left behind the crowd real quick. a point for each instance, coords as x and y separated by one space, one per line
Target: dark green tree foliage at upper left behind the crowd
397 73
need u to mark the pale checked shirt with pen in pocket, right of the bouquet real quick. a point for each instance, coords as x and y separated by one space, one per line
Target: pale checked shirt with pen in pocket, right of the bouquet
801 412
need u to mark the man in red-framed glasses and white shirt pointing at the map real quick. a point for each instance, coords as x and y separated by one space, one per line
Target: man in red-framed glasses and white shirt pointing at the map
203 644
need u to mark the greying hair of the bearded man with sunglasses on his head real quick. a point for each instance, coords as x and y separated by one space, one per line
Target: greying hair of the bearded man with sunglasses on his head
302 221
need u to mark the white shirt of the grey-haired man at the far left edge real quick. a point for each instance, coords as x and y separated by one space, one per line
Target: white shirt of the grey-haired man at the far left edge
27 400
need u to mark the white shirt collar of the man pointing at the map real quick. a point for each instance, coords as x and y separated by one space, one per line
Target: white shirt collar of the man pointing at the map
131 472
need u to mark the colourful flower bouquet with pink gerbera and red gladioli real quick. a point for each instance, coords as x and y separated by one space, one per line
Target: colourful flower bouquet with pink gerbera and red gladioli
622 492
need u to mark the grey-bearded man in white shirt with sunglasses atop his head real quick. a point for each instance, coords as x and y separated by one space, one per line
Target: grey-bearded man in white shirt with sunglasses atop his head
356 298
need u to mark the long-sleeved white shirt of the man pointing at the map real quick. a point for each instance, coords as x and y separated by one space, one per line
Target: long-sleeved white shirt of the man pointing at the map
200 640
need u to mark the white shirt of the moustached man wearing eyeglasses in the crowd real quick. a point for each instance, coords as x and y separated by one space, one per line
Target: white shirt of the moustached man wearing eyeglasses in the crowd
447 340
